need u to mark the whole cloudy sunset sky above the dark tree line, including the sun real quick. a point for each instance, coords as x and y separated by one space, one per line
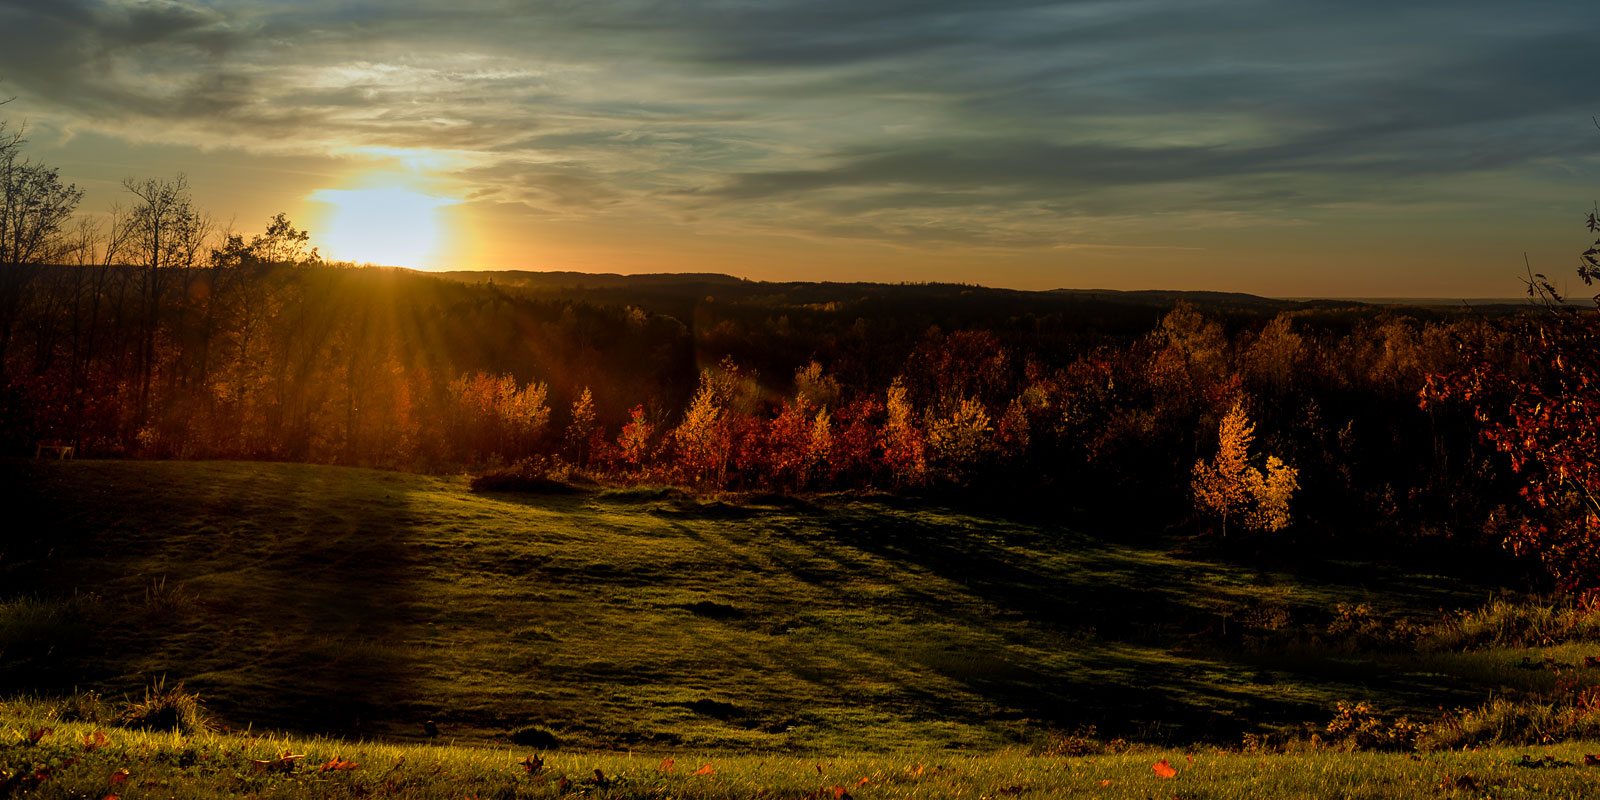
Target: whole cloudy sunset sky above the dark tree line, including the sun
1310 148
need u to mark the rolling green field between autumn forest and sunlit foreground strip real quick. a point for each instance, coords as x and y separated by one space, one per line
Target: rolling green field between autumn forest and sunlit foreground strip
364 604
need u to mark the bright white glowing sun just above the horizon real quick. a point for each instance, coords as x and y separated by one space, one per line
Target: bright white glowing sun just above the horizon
388 226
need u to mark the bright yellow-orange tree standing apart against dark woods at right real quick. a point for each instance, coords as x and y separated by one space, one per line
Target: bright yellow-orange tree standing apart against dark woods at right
1230 487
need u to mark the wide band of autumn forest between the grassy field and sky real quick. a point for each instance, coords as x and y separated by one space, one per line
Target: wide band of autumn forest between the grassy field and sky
153 334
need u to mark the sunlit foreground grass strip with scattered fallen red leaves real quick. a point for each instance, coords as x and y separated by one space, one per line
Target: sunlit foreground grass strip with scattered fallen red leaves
73 762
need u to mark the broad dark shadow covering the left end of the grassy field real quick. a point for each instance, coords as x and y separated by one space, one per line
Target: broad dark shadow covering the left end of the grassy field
281 596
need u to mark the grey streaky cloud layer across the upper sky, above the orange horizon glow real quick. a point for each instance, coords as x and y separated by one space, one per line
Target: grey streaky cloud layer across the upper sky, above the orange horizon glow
999 122
